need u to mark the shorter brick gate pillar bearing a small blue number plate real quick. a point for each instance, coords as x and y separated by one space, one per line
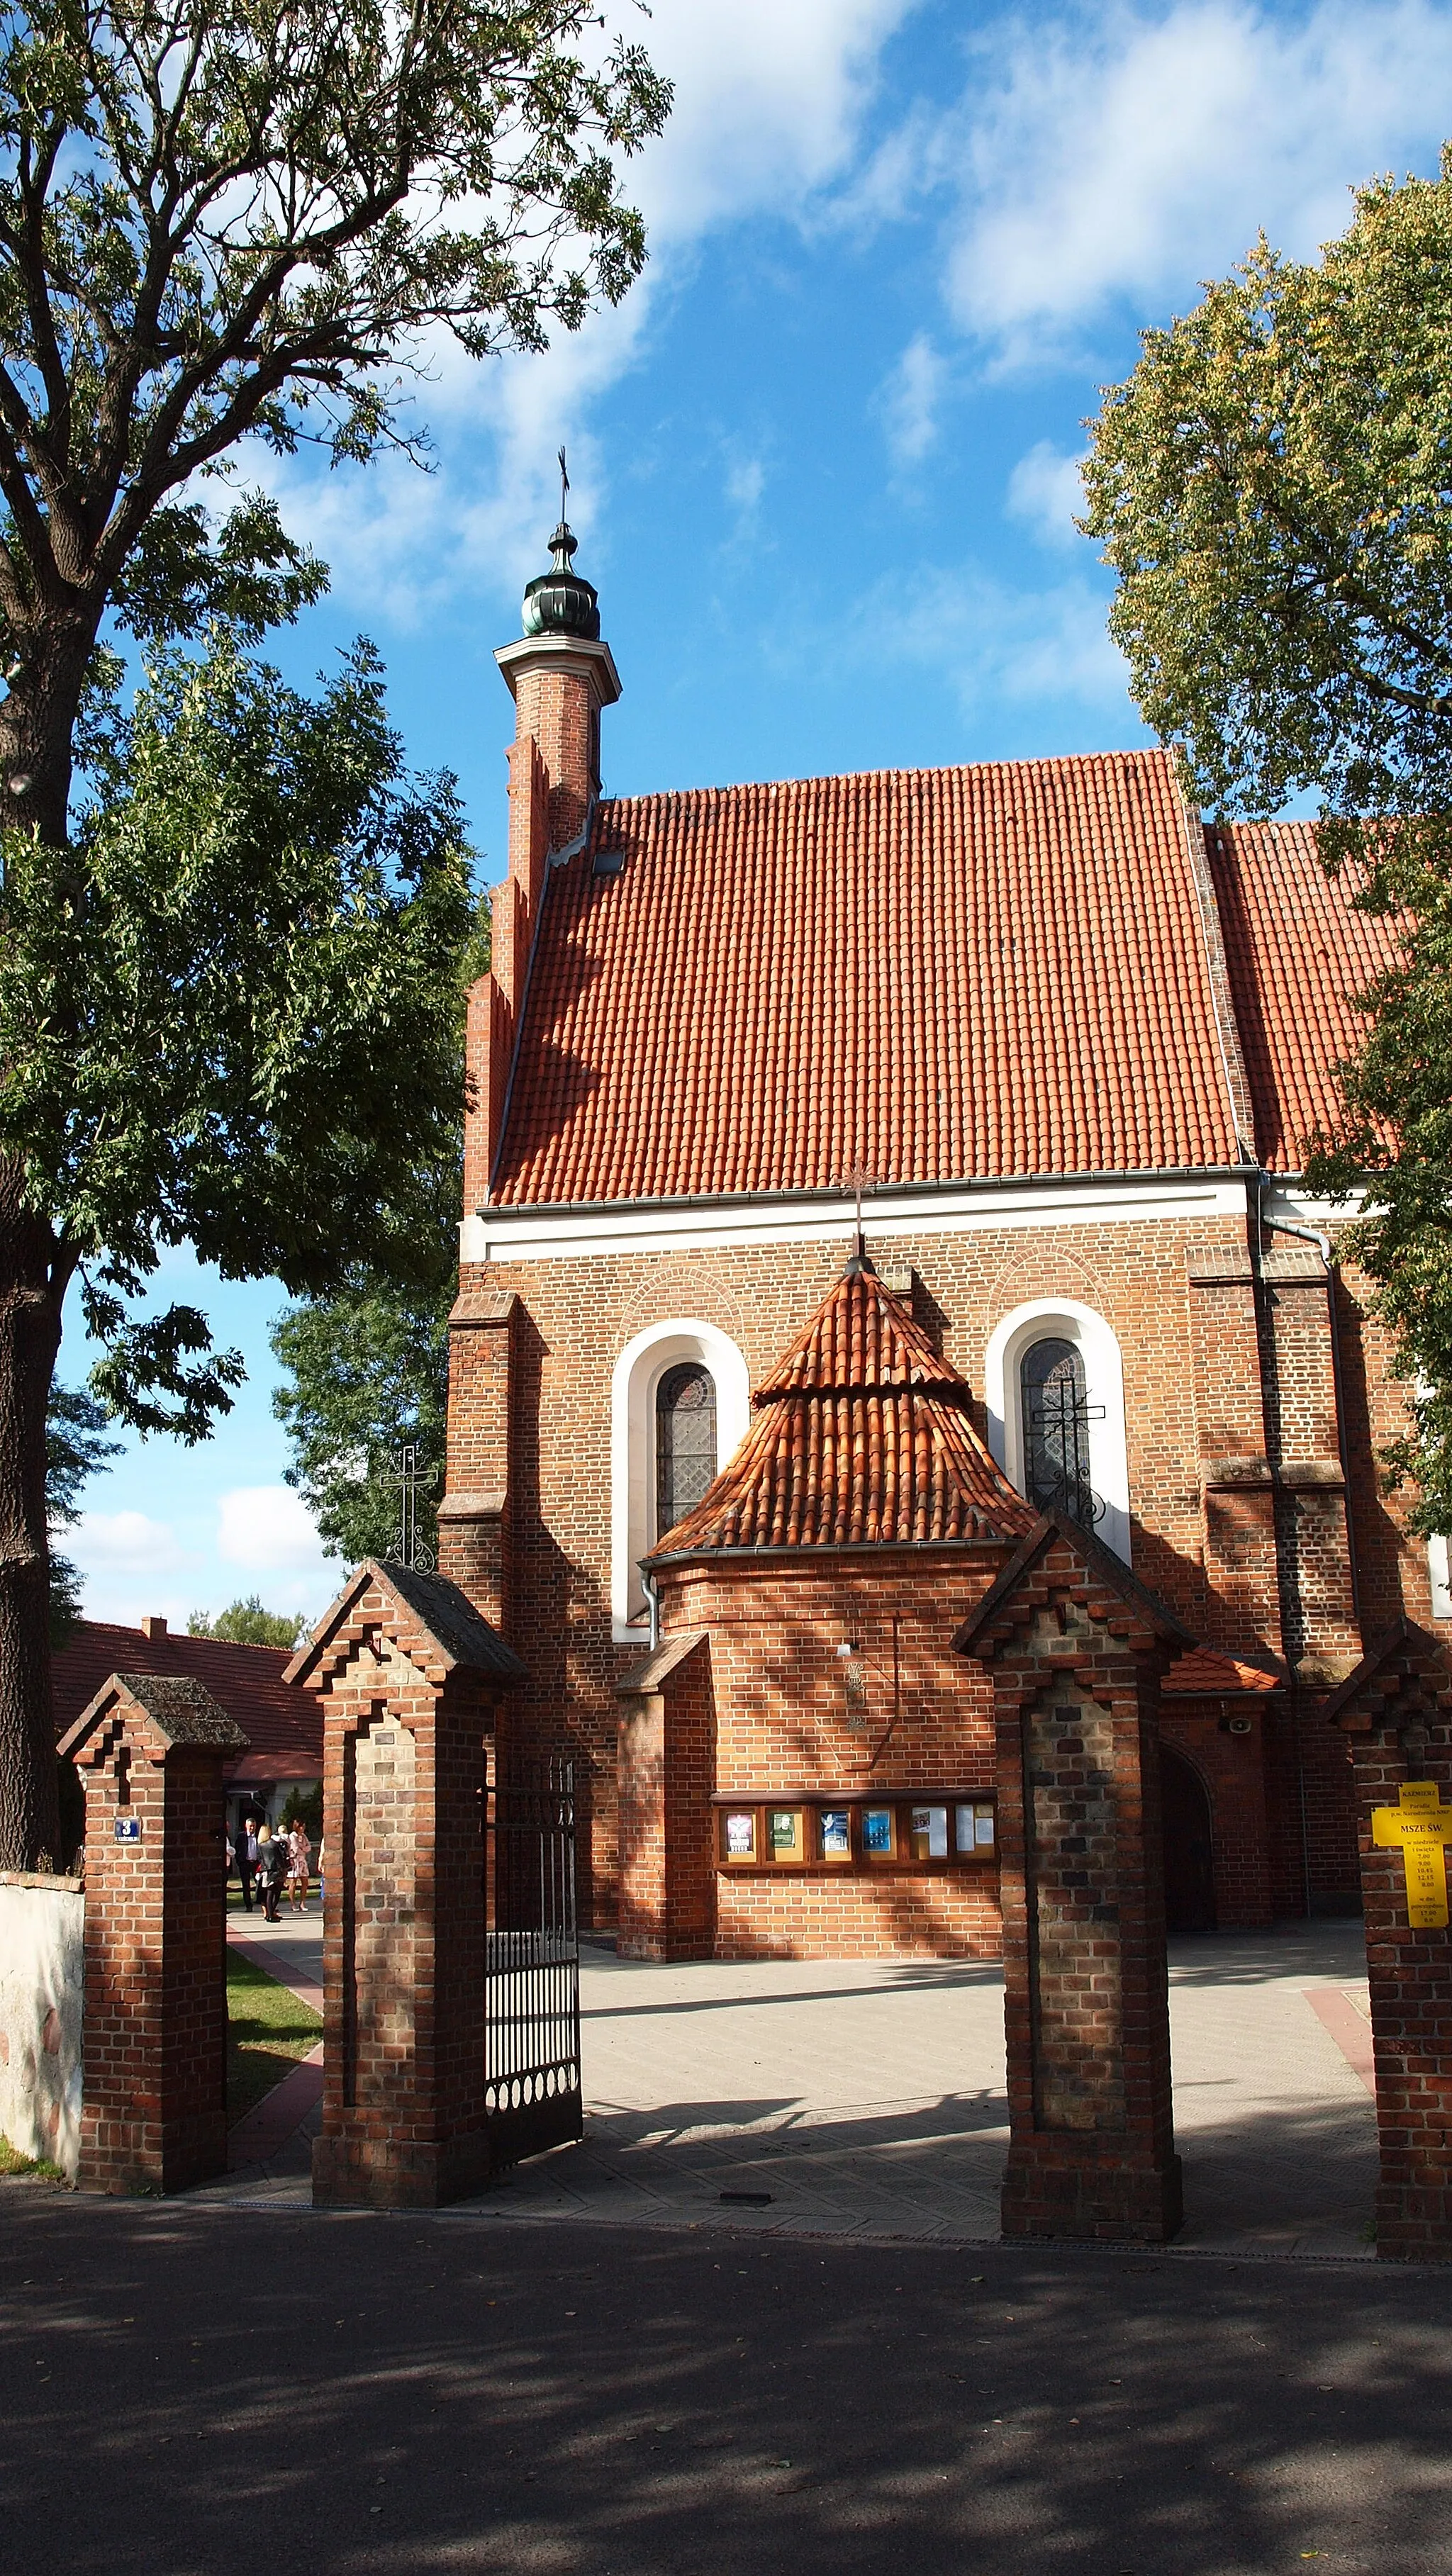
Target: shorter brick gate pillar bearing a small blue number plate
153 1756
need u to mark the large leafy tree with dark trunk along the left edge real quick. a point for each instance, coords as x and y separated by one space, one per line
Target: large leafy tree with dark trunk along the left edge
215 225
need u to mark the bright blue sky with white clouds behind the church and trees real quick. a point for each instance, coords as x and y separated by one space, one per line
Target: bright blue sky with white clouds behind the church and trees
823 465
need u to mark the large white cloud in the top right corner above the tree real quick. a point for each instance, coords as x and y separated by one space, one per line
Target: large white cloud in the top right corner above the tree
1131 153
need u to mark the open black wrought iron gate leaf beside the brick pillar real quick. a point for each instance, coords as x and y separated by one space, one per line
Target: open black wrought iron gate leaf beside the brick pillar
532 1964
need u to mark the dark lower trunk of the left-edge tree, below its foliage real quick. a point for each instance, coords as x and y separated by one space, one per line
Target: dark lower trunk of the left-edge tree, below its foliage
30 1341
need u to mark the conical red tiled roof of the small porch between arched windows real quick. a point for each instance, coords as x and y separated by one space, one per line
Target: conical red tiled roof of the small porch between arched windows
861 1439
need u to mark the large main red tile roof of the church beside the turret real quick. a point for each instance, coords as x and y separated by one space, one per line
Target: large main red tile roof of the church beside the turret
936 975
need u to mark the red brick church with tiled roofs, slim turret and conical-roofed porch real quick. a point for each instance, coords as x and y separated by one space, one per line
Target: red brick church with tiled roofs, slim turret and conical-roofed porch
856 1171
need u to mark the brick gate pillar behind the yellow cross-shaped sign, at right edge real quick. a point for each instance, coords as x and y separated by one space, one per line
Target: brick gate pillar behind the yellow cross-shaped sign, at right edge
1397 1714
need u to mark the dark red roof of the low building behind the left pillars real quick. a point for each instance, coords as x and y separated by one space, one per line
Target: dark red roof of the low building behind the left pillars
284 1725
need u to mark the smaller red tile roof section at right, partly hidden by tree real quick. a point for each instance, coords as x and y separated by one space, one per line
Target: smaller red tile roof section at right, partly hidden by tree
1299 952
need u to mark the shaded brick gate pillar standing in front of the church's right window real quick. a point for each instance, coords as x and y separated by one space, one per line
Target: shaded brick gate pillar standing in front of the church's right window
1077 1653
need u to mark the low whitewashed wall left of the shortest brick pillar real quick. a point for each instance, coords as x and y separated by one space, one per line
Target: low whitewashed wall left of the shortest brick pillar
42 1987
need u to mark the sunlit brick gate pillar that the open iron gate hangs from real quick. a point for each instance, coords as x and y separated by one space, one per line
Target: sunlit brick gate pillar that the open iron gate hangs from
411 1681
